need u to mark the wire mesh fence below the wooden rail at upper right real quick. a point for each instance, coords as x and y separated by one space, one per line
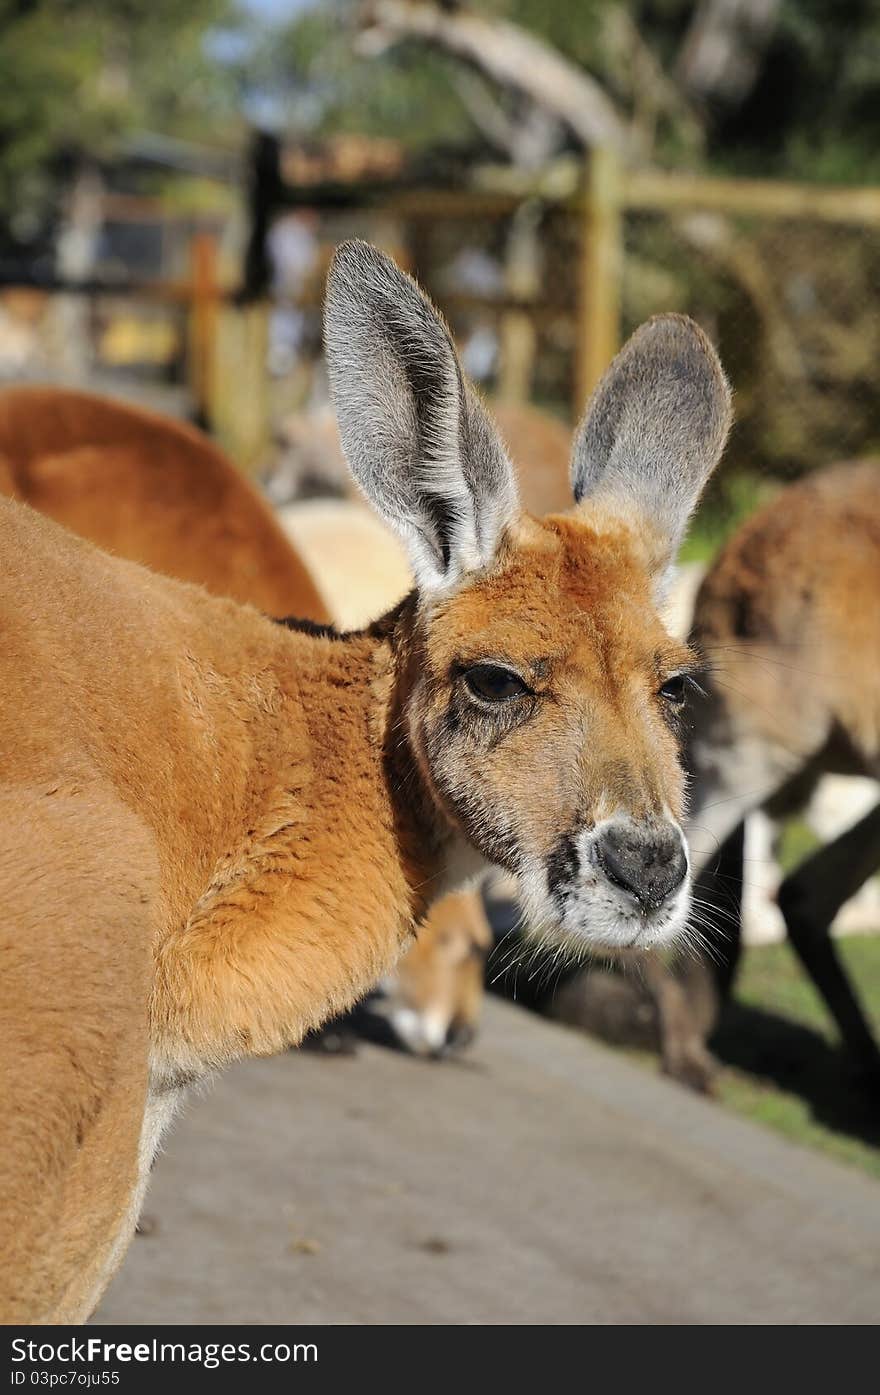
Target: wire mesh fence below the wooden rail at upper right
794 309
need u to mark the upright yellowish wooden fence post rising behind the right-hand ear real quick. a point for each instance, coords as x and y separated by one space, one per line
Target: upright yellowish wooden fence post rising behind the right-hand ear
602 267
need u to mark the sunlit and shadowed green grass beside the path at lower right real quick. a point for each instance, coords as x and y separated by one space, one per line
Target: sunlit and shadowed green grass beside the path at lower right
782 1062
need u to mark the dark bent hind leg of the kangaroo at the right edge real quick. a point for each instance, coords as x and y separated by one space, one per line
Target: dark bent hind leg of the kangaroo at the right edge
810 900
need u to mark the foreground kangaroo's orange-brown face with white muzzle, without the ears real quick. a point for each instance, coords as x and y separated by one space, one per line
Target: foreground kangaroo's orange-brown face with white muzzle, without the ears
546 715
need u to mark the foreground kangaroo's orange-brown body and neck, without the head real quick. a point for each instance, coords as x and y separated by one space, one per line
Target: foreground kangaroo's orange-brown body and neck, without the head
197 736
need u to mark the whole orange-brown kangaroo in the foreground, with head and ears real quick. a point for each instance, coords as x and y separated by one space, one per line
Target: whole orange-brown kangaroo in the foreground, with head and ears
217 832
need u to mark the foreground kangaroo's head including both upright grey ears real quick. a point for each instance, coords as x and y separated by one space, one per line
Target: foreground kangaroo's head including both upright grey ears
545 695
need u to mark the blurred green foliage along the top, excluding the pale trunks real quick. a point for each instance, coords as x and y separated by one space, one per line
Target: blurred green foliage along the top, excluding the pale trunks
76 75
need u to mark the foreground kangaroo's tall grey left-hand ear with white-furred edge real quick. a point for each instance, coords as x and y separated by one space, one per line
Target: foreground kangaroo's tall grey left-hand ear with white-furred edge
418 442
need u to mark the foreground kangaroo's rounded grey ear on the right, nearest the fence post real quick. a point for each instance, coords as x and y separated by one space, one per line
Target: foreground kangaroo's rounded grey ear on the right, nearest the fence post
656 426
